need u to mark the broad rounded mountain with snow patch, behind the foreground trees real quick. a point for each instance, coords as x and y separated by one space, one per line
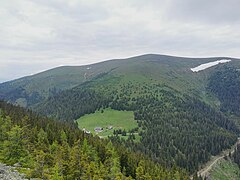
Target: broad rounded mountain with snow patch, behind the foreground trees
182 118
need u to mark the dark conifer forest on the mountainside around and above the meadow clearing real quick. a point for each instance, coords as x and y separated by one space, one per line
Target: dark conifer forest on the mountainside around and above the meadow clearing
175 128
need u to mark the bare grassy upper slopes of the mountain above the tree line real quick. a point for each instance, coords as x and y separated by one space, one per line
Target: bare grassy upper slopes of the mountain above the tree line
174 71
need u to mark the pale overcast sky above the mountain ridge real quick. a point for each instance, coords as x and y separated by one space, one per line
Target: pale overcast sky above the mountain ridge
36 35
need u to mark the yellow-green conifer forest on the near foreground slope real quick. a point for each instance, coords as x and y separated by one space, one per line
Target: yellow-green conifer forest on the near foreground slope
48 149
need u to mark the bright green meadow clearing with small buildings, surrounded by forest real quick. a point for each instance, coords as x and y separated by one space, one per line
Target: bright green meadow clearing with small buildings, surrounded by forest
109 117
